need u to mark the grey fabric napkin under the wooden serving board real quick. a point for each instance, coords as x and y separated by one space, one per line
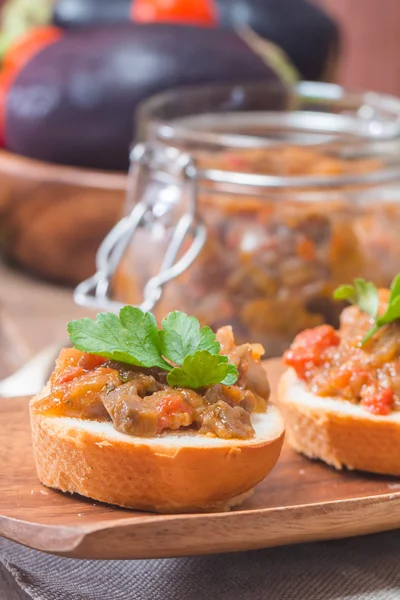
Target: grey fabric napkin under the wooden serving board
355 569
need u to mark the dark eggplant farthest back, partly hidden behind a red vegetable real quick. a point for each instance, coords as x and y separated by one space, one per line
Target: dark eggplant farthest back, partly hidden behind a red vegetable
303 30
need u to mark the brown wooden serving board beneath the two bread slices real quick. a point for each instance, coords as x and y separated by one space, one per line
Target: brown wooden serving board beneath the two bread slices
300 501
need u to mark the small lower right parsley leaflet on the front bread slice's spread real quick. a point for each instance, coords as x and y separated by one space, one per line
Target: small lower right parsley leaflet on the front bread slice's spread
201 370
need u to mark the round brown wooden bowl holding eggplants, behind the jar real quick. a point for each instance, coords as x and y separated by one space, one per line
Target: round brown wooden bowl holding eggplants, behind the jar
53 218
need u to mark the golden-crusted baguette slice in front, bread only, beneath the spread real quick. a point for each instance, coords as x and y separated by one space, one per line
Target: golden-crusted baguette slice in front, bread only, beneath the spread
176 472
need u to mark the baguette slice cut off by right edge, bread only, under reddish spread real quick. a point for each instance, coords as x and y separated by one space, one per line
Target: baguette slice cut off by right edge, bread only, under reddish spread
338 432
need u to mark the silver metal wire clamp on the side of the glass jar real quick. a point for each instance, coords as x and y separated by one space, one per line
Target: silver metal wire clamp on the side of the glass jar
96 292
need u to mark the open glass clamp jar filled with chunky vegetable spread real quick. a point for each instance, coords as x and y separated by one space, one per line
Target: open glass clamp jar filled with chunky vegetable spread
248 205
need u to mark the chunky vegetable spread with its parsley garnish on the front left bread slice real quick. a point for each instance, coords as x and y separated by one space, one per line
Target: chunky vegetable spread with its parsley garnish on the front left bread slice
147 380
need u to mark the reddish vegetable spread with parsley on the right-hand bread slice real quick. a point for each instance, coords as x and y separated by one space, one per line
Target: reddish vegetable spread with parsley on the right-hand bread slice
361 361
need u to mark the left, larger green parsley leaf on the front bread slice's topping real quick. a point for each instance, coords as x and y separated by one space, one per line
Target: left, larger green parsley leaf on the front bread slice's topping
131 338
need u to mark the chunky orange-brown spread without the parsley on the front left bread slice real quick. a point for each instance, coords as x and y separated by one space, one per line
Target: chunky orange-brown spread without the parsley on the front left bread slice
139 401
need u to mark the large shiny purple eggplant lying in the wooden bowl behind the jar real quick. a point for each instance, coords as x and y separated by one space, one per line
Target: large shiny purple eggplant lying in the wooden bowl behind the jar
74 102
